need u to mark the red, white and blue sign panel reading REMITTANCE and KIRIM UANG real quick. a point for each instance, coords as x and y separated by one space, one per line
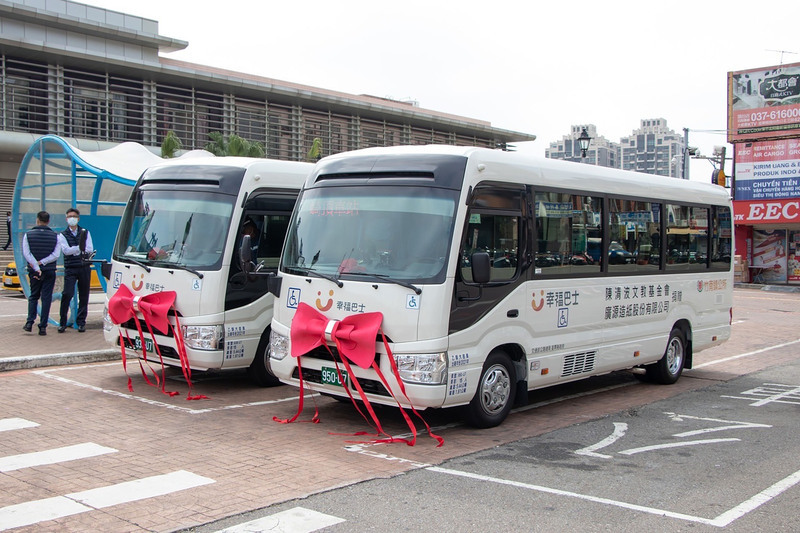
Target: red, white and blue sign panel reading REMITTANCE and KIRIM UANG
767 170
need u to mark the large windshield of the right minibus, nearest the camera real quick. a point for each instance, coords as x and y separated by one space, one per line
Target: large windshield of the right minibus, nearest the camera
402 233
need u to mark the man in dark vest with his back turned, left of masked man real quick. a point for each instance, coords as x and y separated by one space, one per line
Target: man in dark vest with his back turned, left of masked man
41 250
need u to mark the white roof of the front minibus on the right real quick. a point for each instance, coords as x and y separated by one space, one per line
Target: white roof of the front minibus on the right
496 165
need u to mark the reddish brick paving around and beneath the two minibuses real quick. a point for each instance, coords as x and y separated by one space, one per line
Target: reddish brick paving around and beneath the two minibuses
256 462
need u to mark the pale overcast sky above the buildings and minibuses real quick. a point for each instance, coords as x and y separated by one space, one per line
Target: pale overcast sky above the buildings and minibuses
533 67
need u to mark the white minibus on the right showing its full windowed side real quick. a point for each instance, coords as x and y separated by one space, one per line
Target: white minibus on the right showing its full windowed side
498 273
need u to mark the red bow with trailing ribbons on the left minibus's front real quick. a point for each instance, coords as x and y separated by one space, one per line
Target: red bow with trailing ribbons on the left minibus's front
154 307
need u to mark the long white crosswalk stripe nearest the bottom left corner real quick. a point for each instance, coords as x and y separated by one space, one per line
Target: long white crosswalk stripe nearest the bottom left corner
33 512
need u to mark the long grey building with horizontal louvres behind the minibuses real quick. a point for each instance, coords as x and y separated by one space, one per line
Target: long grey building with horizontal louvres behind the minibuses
97 77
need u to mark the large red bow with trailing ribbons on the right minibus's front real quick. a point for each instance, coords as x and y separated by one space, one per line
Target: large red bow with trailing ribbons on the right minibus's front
354 337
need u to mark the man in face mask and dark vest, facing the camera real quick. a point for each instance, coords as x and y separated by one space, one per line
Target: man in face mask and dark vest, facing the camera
76 244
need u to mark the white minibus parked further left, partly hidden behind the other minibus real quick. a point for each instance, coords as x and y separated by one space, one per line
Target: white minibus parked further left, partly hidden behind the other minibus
181 231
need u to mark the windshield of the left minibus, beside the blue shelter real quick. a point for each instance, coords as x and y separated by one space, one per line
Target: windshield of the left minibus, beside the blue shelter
175 228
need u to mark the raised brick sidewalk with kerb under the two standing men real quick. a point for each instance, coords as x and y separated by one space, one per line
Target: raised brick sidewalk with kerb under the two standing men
20 349
